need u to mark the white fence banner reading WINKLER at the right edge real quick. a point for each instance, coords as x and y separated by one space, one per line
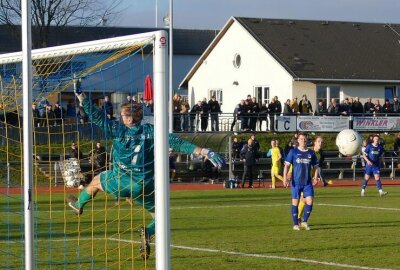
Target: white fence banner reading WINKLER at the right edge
376 123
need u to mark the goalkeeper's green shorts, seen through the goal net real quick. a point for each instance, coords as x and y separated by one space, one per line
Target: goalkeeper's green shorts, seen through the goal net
122 185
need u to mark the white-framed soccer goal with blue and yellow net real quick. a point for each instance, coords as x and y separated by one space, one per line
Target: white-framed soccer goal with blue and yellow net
107 235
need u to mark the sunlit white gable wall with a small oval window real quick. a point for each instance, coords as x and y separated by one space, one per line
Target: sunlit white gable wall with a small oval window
258 68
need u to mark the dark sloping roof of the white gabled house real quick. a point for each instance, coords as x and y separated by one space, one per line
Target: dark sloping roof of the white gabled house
330 50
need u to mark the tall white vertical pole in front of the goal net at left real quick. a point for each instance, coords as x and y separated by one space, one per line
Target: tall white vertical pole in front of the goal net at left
27 129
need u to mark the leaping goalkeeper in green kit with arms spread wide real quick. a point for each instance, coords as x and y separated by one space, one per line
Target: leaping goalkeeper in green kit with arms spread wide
132 174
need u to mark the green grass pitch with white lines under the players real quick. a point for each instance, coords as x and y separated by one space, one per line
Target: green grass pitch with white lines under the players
218 229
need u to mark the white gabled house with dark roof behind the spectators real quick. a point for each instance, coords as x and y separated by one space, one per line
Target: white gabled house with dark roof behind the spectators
288 58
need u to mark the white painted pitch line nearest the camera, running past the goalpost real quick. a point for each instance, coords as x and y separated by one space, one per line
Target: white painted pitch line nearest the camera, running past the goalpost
262 256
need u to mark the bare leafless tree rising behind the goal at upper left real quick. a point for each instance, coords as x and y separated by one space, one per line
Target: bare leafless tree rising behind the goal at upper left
48 13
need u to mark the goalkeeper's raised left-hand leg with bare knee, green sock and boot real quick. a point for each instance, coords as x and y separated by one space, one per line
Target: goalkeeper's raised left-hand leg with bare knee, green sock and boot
77 204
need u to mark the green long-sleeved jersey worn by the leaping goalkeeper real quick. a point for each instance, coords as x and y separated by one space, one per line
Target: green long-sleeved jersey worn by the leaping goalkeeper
133 148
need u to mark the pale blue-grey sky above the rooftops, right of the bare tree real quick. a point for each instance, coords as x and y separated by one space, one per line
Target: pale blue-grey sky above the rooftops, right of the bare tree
213 14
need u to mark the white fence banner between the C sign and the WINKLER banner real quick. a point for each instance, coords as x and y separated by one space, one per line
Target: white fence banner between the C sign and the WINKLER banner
322 123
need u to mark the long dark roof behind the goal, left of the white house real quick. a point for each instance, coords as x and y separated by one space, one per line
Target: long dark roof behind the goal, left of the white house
185 42
